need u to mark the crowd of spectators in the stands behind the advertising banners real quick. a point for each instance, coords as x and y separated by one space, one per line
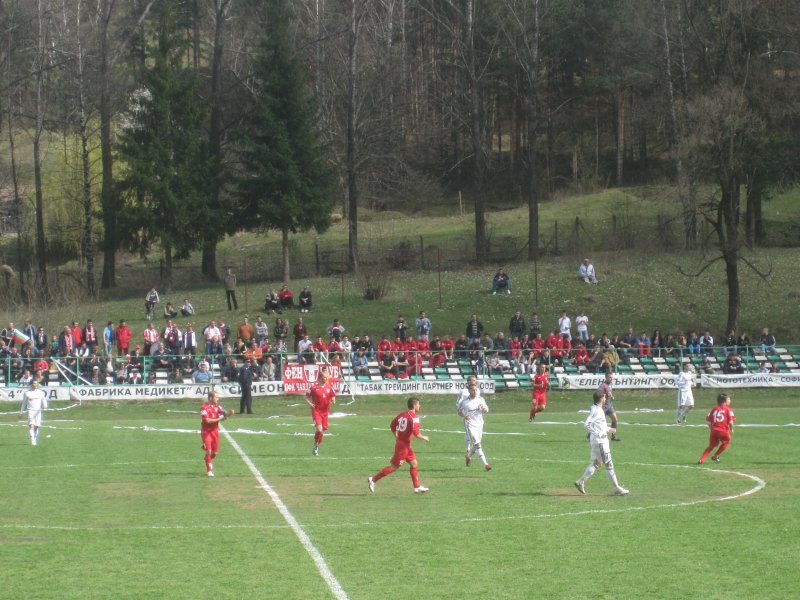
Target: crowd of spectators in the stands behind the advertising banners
82 352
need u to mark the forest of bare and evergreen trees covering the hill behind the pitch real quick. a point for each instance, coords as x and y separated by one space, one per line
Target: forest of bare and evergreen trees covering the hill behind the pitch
159 128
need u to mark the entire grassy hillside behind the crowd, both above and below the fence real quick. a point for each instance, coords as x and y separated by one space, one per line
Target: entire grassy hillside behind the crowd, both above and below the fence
643 289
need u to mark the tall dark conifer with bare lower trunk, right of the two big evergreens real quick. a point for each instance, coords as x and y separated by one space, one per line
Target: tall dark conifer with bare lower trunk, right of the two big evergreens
285 183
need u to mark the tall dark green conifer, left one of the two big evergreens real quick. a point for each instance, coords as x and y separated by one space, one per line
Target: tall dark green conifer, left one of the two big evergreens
165 152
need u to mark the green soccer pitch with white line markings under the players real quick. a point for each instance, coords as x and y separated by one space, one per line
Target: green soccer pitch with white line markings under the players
114 503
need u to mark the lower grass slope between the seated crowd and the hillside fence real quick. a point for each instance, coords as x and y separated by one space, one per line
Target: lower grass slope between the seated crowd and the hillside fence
645 291
